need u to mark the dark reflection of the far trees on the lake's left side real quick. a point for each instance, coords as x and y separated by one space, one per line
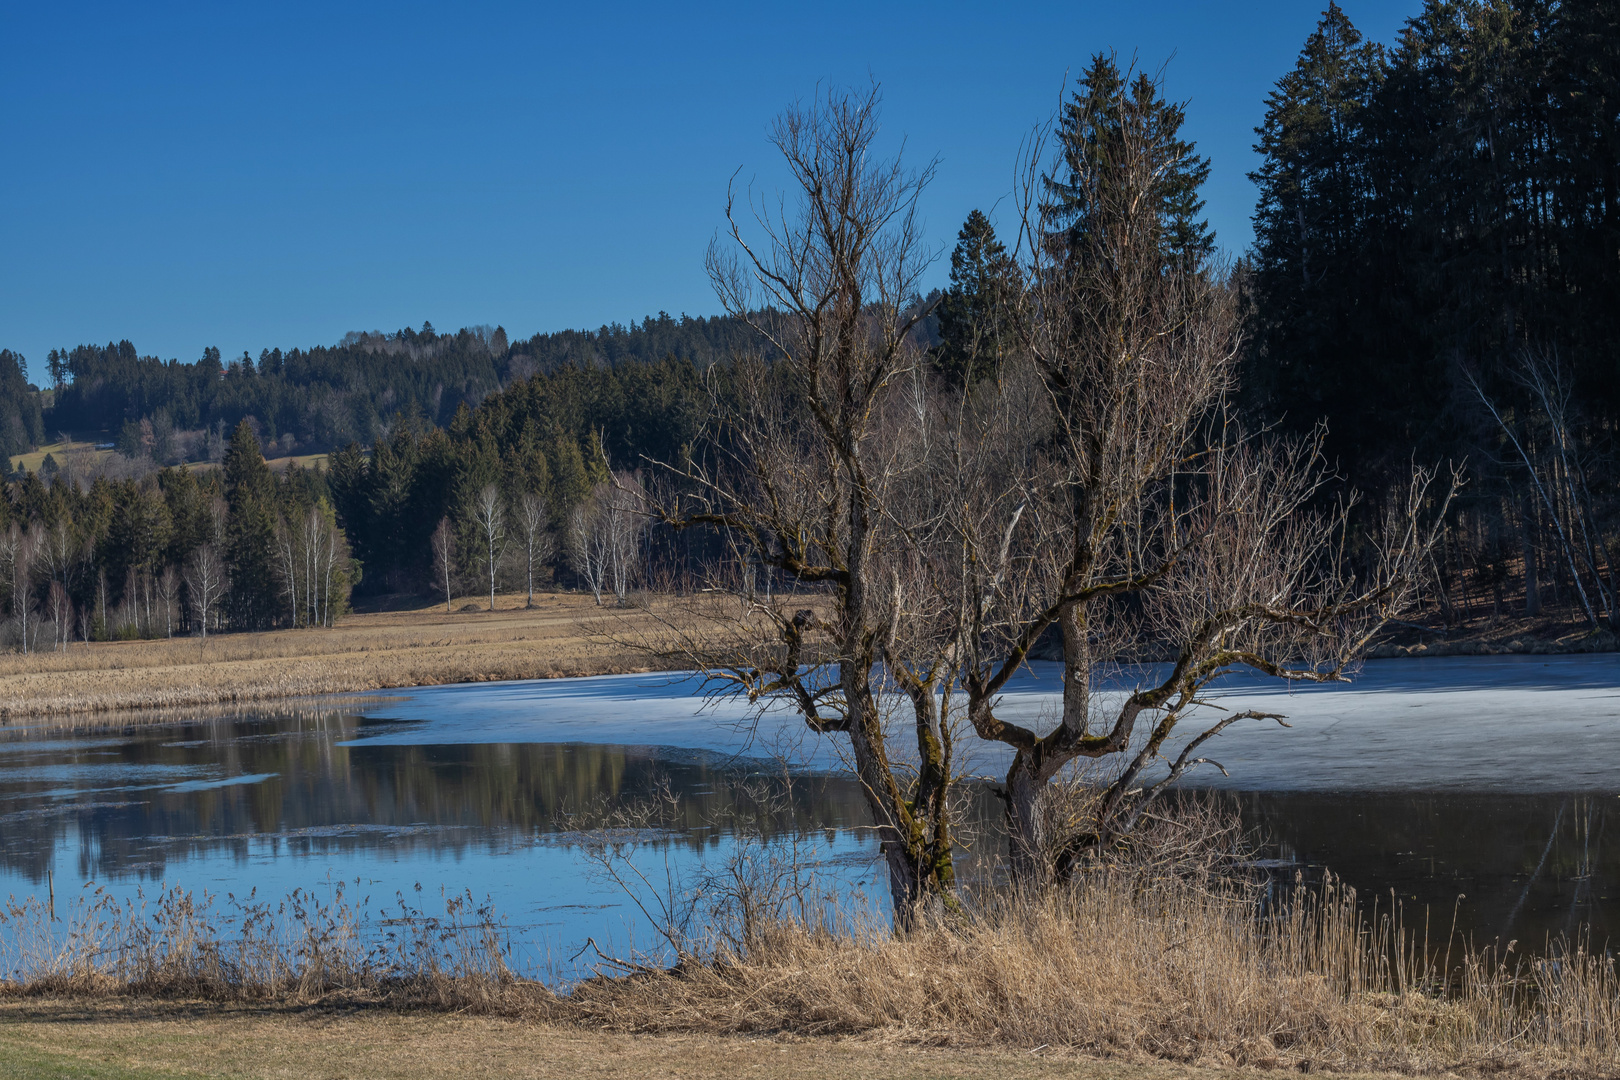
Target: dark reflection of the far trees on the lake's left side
304 781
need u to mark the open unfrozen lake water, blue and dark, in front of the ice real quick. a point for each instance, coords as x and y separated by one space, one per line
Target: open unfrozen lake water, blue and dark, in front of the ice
281 799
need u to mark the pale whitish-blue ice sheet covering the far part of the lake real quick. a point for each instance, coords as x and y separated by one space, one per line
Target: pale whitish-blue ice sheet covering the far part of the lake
1507 723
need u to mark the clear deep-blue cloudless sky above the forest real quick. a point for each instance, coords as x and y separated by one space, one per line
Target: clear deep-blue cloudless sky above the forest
276 176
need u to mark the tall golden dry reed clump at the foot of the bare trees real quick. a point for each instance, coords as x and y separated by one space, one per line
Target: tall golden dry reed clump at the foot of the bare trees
1145 969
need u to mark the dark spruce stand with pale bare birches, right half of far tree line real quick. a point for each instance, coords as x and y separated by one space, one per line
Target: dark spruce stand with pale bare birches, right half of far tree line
542 453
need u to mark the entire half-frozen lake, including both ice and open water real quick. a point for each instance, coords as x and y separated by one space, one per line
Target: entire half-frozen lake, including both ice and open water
1490 776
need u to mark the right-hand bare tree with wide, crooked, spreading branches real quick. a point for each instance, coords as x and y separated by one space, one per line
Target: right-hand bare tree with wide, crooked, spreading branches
1132 514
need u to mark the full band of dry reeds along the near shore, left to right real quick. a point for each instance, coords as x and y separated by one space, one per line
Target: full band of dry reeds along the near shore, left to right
1119 967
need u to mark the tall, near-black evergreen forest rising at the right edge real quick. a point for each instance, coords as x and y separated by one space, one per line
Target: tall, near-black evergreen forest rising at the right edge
1438 274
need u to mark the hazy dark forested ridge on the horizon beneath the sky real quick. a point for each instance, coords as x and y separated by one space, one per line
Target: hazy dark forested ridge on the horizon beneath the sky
320 399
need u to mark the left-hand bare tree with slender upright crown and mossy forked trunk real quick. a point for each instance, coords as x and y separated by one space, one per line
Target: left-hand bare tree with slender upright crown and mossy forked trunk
803 475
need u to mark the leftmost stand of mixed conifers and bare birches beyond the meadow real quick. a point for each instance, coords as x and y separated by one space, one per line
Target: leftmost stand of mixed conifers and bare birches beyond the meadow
179 551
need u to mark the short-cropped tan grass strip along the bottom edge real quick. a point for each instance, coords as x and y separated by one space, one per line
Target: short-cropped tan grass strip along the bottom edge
147 1040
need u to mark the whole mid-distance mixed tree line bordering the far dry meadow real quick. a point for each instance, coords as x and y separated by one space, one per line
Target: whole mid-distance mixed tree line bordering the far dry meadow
534 483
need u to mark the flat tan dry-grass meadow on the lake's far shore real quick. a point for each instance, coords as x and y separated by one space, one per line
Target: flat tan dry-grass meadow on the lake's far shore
563 636
